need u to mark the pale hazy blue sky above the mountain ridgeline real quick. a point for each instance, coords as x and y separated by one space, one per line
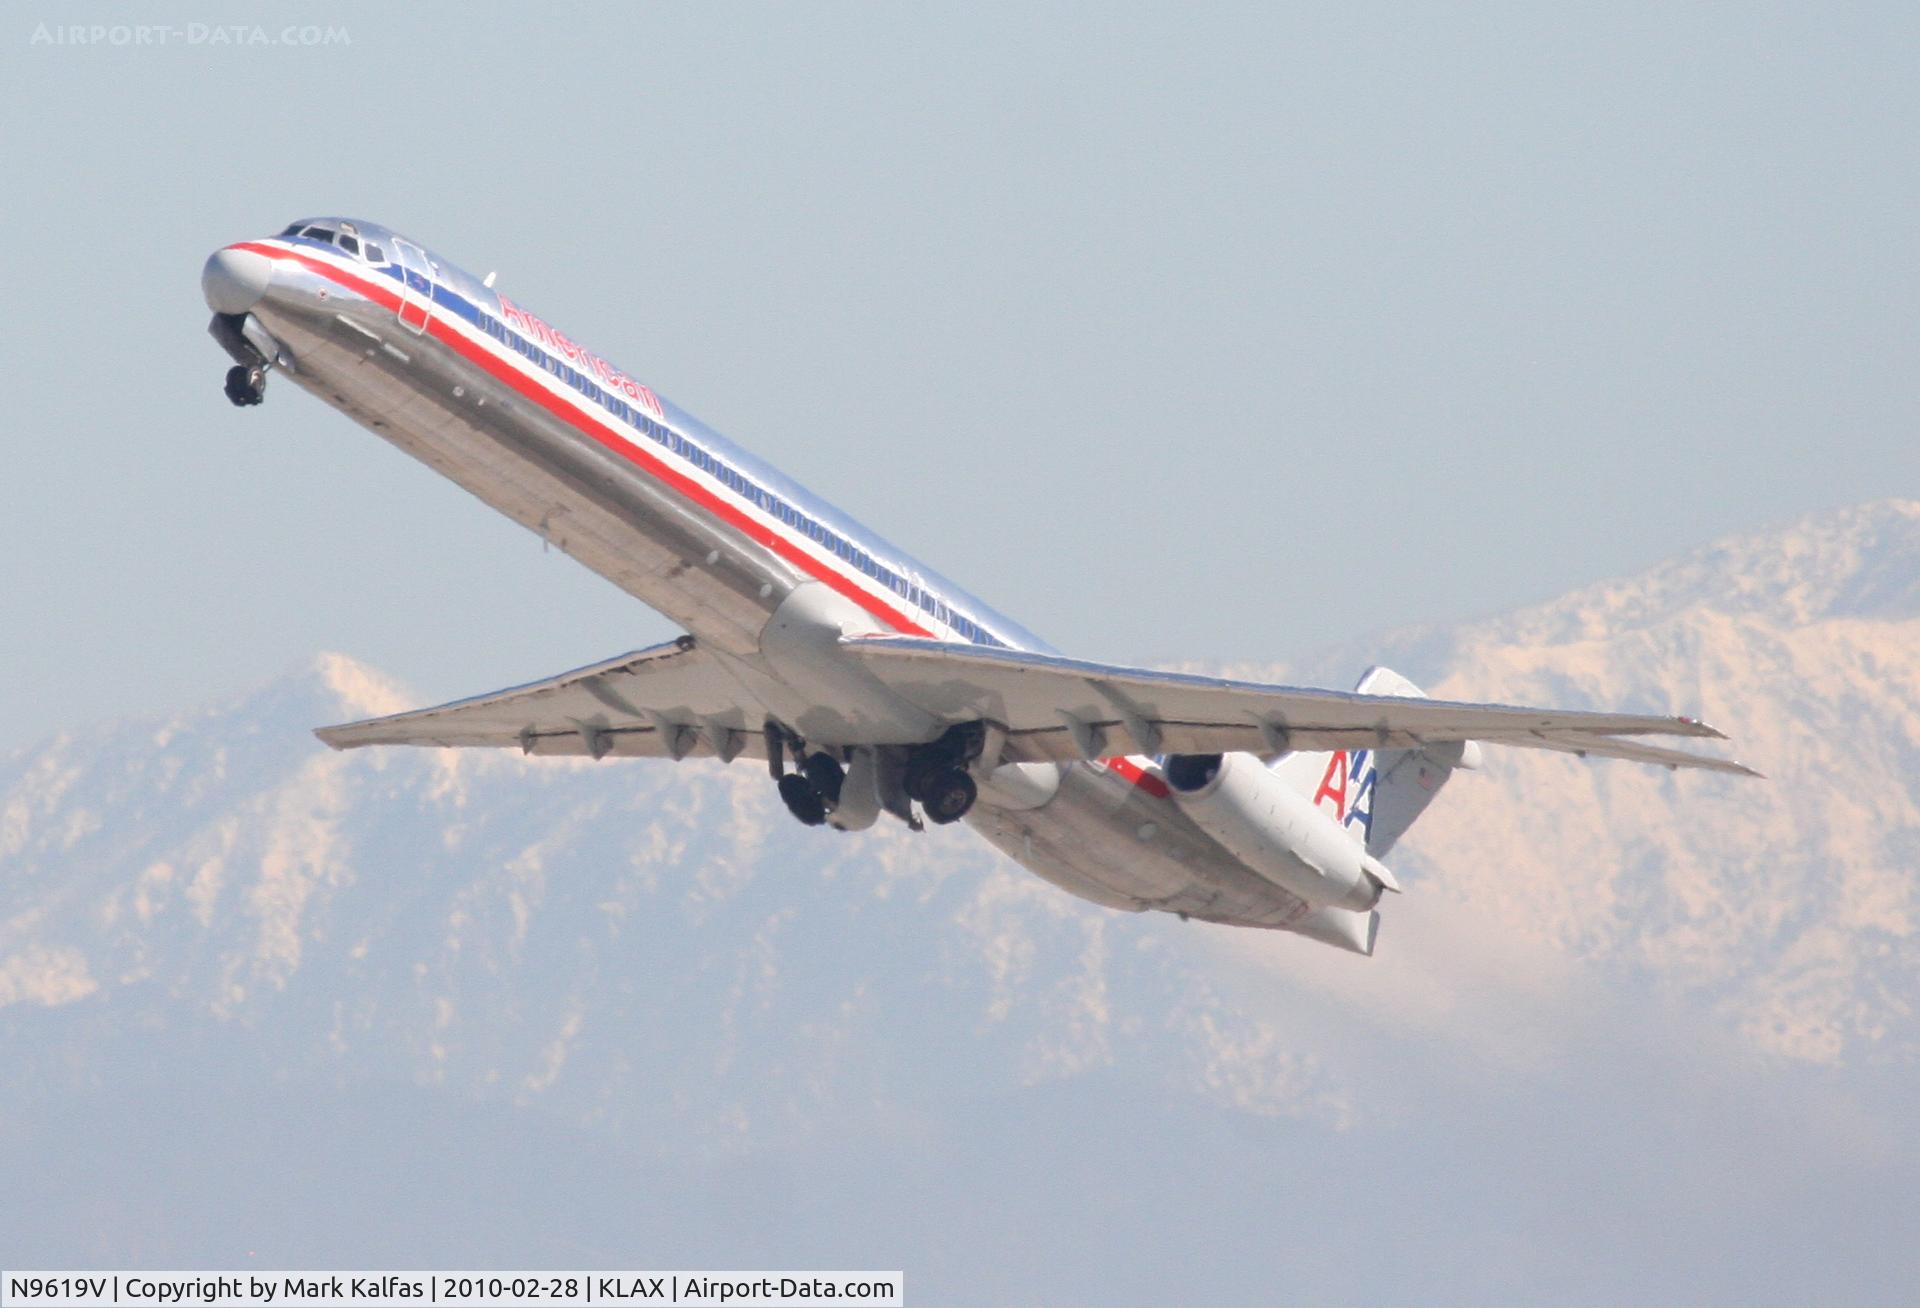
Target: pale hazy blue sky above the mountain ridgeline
1174 333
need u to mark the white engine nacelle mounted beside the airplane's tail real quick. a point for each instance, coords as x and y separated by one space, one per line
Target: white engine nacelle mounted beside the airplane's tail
1276 831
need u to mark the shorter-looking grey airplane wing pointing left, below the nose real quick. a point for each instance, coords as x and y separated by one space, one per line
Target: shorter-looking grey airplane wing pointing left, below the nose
656 704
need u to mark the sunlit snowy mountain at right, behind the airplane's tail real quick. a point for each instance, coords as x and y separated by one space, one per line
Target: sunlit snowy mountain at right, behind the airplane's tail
1790 906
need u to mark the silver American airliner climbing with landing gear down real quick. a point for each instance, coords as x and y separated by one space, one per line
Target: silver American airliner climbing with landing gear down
863 681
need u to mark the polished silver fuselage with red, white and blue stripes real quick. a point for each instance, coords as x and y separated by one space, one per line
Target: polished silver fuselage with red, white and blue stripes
425 356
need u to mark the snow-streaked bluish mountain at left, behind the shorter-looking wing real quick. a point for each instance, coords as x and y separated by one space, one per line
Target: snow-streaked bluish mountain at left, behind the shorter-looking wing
583 934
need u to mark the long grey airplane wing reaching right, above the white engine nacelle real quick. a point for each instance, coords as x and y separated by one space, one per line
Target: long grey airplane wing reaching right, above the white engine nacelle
1068 710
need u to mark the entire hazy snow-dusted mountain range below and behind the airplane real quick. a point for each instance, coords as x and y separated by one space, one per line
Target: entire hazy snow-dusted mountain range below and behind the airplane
473 1009
